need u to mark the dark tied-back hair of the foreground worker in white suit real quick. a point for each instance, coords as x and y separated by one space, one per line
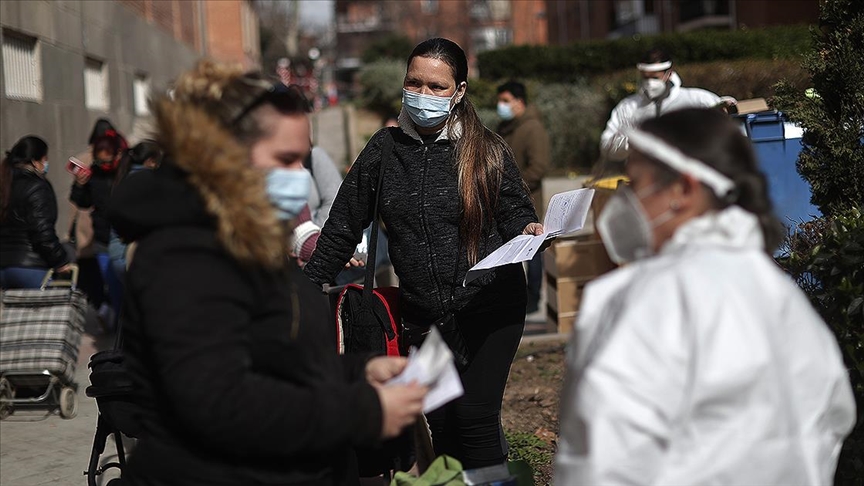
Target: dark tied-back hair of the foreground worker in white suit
711 137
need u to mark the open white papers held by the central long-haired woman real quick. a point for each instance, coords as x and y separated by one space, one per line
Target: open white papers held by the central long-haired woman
566 213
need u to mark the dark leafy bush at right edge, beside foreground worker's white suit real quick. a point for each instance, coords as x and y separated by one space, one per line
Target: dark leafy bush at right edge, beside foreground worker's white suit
826 258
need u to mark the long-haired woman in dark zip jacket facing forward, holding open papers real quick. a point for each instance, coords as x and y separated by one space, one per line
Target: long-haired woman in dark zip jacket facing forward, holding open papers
451 195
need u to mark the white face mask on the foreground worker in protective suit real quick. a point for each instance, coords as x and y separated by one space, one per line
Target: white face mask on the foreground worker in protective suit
625 228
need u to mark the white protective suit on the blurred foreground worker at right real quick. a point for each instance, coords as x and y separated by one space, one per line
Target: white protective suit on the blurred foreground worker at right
711 367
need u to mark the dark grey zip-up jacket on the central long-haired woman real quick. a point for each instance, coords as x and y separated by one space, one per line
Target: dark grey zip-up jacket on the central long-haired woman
421 208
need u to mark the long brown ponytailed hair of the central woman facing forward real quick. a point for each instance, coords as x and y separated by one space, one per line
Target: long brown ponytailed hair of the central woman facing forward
479 151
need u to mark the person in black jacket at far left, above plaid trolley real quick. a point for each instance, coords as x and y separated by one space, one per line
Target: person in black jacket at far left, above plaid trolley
29 246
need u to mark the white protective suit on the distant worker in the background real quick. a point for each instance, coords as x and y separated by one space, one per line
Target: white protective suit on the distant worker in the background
636 108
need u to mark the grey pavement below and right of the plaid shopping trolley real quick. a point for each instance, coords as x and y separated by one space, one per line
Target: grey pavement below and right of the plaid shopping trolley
38 447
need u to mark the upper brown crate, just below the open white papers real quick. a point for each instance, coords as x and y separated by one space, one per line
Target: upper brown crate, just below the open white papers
576 259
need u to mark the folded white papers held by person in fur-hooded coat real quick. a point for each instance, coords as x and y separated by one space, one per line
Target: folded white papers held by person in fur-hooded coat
432 366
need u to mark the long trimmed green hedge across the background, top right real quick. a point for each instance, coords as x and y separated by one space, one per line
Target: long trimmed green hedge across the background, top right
590 58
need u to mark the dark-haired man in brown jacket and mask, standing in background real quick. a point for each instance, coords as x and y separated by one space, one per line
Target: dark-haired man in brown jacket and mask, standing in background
522 128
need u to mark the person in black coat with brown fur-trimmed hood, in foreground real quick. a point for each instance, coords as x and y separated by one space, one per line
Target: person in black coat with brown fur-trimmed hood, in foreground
237 378
